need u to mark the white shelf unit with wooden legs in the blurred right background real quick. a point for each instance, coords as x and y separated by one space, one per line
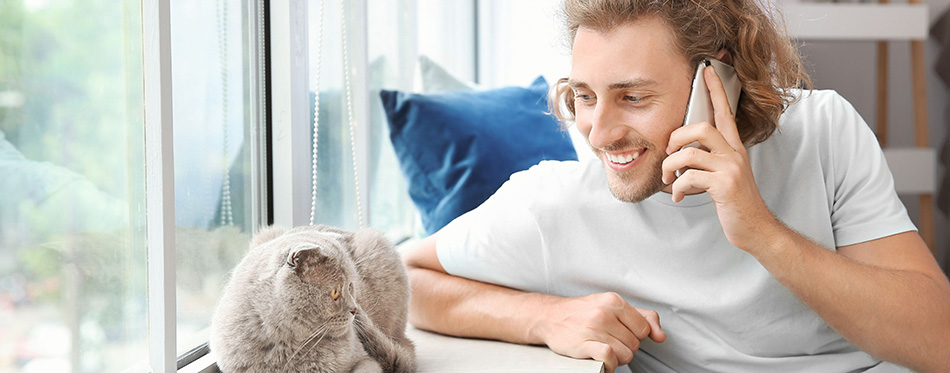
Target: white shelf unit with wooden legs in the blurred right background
913 168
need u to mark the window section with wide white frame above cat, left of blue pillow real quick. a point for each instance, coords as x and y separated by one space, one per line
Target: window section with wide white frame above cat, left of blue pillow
359 183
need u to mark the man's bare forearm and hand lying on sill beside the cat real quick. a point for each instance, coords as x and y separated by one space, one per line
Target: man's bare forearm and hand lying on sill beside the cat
602 327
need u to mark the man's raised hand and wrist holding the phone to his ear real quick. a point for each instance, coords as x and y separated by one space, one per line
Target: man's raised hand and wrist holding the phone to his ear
724 171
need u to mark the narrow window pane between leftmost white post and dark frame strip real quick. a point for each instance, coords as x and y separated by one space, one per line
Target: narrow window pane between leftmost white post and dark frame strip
211 76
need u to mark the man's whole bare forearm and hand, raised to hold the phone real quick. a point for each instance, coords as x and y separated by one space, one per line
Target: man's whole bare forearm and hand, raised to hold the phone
849 287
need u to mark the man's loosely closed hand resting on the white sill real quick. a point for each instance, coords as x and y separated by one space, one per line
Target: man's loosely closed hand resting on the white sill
601 326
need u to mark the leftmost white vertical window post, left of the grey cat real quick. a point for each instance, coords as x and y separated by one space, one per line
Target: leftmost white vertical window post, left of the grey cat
160 184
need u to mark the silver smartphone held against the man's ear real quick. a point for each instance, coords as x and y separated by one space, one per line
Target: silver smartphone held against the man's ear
700 109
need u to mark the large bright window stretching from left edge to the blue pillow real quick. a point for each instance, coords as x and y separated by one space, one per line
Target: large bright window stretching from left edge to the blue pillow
74 137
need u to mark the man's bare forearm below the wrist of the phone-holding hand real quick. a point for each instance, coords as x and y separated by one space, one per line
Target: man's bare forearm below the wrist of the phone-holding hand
896 315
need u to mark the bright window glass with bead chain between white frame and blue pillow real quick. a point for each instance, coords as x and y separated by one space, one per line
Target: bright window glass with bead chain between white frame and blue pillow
390 209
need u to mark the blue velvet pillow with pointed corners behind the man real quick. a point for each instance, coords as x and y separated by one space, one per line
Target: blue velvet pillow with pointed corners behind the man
456 148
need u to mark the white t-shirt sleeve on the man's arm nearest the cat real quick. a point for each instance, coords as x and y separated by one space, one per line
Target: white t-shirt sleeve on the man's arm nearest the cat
498 242
